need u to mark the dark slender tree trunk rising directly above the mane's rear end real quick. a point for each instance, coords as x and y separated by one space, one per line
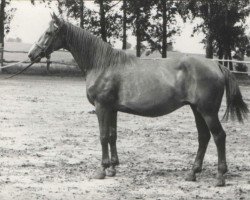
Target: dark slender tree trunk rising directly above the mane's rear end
138 30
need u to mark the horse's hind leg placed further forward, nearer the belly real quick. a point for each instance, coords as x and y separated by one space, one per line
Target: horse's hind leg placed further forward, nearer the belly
203 139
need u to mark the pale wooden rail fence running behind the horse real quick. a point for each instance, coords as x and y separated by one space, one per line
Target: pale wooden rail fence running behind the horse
49 62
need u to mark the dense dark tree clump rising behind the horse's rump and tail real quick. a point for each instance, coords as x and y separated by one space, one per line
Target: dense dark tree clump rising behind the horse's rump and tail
223 23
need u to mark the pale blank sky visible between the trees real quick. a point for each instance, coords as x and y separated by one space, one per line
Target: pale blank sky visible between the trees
31 21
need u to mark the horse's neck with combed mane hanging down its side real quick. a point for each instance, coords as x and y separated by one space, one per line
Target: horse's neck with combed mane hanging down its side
93 52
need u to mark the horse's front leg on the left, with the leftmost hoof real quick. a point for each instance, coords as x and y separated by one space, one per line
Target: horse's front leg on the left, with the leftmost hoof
103 115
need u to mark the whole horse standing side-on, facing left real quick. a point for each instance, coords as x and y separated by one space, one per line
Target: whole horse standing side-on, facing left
117 81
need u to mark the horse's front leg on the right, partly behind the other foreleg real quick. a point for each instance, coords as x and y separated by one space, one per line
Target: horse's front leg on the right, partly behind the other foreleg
112 142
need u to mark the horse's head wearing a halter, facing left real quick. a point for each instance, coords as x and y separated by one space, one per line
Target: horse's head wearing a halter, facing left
49 41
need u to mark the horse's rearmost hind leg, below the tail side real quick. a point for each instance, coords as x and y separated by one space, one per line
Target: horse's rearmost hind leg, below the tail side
219 135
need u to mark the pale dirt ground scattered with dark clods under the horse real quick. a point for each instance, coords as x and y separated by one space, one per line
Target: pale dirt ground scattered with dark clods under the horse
49 148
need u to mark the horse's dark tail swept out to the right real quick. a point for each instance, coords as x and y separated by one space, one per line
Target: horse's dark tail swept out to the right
235 104
